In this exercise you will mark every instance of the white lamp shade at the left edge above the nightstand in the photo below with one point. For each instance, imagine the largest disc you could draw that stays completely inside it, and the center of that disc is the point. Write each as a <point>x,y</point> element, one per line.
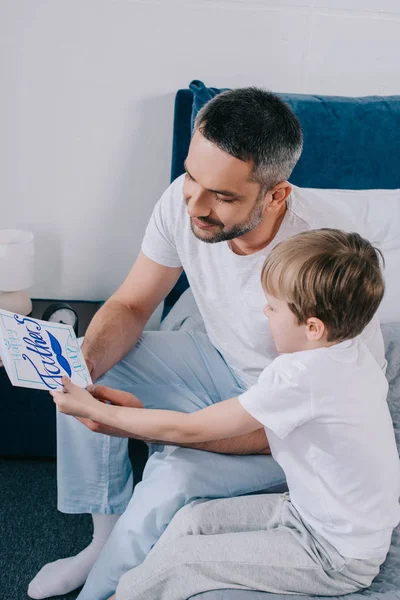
<point>17,250</point>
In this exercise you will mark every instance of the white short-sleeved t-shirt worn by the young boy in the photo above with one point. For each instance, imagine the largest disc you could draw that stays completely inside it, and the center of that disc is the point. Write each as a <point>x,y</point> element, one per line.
<point>328,424</point>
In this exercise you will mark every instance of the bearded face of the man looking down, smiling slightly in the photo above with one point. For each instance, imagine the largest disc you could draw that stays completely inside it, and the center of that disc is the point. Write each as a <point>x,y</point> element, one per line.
<point>221,200</point>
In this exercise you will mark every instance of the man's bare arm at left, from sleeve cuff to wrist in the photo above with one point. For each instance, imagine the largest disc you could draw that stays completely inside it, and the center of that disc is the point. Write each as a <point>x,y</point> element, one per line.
<point>119,323</point>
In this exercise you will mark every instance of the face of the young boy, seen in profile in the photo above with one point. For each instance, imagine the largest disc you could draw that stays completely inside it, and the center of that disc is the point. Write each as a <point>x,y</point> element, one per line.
<point>288,335</point>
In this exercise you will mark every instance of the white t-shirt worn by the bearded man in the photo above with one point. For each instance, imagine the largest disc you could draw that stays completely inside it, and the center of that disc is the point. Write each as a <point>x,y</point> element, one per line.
<point>227,287</point>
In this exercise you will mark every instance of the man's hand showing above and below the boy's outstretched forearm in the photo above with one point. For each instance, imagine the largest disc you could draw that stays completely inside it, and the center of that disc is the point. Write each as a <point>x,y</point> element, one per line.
<point>117,397</point>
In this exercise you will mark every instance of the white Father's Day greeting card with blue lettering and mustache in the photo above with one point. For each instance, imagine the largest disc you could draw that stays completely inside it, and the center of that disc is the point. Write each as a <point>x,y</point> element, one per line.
<point>37,354</point>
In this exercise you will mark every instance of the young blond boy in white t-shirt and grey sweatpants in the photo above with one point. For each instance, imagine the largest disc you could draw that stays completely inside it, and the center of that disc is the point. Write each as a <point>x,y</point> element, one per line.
<point>323,405</point>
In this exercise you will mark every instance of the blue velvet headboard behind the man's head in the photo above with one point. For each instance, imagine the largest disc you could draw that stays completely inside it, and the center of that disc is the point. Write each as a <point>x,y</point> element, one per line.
<point>349,143</point>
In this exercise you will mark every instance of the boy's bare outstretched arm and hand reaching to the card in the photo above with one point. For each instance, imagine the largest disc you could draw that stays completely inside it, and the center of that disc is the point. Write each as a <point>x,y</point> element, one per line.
<point>222,420</point>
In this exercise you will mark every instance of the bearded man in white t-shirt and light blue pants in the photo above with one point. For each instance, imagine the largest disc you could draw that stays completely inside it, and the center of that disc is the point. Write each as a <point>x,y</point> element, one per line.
<point>218,222</point>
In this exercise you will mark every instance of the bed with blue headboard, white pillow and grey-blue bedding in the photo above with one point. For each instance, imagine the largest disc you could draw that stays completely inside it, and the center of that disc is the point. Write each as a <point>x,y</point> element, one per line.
<point>350,144</point>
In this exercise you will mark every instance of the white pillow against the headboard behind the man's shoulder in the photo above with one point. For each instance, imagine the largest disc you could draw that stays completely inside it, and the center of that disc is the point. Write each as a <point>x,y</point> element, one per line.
<point>376,216</point>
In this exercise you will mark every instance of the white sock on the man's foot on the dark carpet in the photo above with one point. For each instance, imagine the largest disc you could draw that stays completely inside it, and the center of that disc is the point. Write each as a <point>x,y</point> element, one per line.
<point>67,574</point>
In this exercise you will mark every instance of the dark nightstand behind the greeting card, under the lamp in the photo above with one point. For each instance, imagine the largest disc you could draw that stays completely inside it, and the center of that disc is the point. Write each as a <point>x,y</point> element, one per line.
<point>28,417</point>
